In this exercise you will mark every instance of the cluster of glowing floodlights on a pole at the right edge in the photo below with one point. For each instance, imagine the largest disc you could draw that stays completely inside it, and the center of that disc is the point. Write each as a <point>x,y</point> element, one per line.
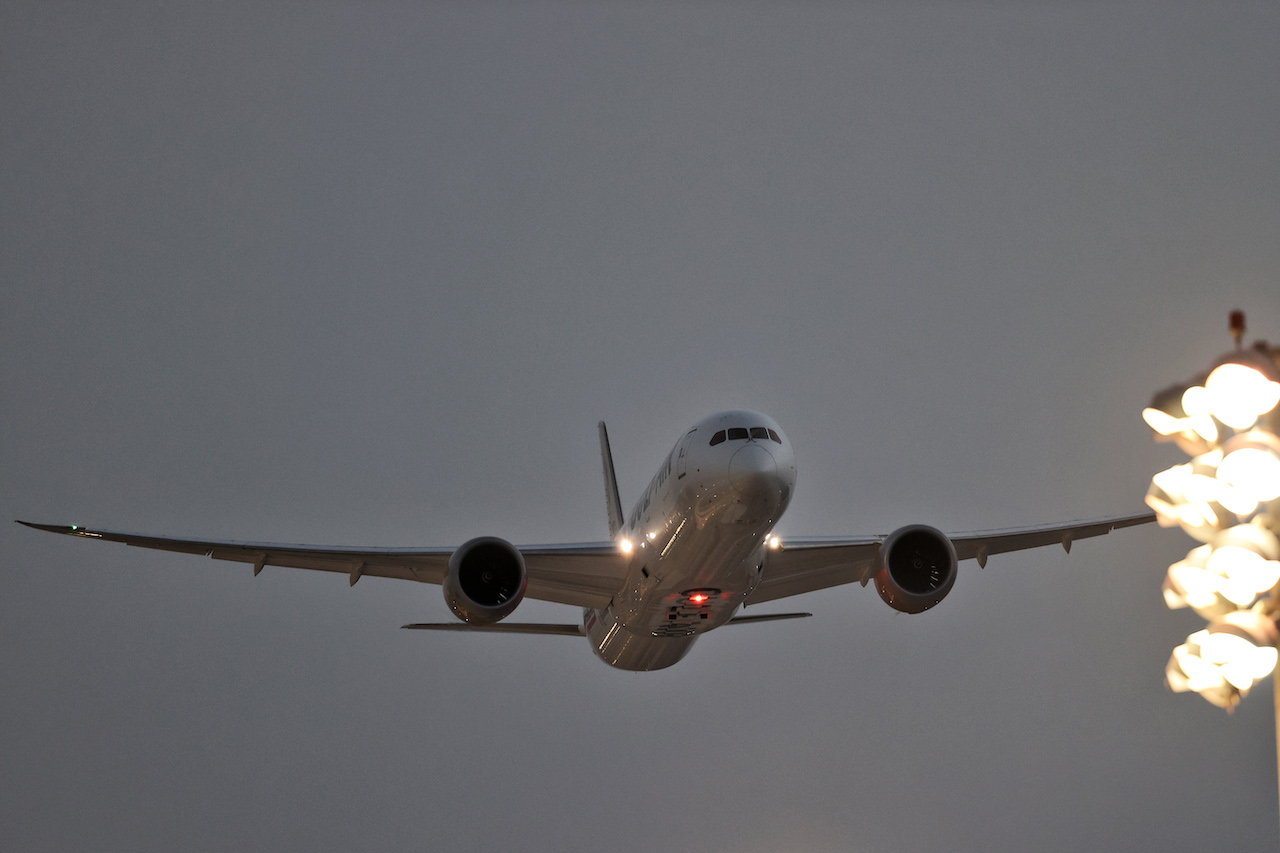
<point>1227,498</point>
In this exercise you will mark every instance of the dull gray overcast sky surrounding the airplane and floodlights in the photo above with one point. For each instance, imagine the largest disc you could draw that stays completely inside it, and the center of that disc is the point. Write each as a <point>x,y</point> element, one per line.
<point>371,273</point>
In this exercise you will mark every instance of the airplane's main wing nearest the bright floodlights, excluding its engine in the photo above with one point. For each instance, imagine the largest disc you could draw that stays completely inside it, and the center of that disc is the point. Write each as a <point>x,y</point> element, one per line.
<point>806,565</point>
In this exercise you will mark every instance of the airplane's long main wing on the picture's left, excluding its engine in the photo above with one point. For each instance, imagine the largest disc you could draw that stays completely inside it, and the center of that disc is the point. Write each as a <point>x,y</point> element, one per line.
<point>584,574</point>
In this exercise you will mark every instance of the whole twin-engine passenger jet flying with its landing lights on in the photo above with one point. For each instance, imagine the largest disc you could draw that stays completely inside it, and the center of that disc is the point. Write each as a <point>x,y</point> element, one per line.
<point>698,546</point>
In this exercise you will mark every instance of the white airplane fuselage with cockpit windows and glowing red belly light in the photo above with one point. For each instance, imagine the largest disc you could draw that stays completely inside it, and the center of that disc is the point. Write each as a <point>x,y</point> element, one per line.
<point>698,540</point>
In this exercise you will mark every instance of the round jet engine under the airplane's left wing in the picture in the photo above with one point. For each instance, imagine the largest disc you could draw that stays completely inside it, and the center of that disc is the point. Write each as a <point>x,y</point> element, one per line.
<point>487,581</point>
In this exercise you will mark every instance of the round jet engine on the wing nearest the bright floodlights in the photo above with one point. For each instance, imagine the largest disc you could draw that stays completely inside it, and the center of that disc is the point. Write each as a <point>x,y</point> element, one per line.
<point>917,568</point>
